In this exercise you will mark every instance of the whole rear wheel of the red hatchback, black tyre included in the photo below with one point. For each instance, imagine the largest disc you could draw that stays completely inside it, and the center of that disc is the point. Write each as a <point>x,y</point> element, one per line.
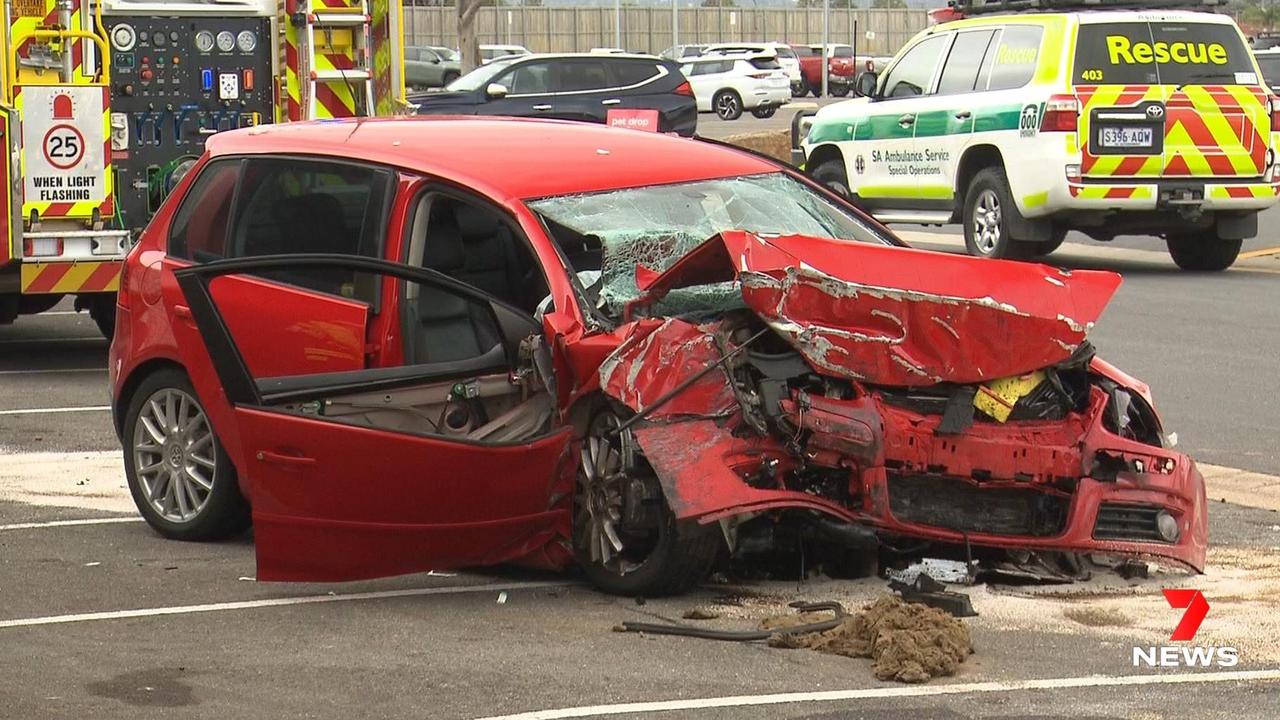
<point>171,455</point>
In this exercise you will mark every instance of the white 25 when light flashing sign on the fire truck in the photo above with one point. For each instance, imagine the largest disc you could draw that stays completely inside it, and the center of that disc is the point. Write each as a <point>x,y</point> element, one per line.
<point>63,144</point>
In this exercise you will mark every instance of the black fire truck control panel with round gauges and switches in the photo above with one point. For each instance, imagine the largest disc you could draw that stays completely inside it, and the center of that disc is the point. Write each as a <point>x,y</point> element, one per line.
<point>176,81</point>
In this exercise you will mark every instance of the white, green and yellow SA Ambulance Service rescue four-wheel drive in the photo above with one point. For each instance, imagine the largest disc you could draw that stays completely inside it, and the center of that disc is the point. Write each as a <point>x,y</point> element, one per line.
<point>1027,126</point>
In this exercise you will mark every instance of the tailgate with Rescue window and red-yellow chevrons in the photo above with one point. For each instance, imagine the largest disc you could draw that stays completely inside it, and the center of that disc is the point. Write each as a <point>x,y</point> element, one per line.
<point>1176,99</point>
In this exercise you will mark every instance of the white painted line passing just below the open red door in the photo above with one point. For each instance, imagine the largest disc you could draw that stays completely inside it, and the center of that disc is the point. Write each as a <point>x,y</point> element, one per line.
<point>269,603</point>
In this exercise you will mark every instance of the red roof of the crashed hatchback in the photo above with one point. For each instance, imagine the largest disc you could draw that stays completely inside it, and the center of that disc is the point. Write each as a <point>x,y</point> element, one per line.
<point>556,157</point>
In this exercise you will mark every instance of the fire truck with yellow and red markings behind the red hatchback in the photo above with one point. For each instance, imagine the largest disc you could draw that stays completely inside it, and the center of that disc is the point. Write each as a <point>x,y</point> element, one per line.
<point>106,106</point>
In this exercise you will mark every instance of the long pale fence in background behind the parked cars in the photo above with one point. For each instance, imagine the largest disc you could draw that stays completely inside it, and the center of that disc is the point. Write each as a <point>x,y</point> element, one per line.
<point>648,30</point>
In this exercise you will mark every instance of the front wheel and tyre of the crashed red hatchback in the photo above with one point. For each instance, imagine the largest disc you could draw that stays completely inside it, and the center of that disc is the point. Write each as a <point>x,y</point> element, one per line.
<point>668,558</point>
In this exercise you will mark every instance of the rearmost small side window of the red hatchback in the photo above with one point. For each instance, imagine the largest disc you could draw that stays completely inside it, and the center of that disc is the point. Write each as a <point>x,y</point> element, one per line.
<point>199,230</point>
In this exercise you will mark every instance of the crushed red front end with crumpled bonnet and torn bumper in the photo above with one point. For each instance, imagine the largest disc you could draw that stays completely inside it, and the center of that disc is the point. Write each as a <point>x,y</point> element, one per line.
<point>880,407</point>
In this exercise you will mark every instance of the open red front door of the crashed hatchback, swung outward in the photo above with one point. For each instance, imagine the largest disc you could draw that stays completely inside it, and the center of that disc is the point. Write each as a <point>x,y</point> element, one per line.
<point>452,458</point>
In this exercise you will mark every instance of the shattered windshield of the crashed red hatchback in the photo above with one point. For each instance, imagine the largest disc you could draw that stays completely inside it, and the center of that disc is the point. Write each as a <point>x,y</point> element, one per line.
<point>607,235</point>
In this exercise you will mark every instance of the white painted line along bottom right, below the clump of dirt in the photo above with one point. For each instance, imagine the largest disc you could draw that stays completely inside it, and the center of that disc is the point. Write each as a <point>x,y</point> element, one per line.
<point>870,694</point>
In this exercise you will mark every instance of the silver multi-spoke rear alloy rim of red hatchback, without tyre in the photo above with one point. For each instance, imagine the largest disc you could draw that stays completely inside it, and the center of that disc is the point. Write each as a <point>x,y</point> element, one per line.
<point>175,455</point>
